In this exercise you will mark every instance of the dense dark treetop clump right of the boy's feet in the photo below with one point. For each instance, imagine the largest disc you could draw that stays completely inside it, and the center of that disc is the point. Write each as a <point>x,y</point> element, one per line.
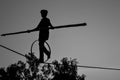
<point>66,70</point>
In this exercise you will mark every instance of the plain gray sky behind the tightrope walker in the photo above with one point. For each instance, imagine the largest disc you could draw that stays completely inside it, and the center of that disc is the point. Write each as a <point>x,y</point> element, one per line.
<point>97,44</point>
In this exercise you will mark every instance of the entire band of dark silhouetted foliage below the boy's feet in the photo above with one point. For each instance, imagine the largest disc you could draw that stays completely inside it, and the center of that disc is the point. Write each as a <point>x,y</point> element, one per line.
<point>33,70</point>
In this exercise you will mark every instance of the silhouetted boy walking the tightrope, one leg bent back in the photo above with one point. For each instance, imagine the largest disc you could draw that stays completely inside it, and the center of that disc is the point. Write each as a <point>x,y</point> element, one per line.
<point>43,28</point>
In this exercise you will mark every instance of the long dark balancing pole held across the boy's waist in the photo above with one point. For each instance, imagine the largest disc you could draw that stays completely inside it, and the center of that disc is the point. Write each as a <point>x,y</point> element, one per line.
<point>56,27</point>
